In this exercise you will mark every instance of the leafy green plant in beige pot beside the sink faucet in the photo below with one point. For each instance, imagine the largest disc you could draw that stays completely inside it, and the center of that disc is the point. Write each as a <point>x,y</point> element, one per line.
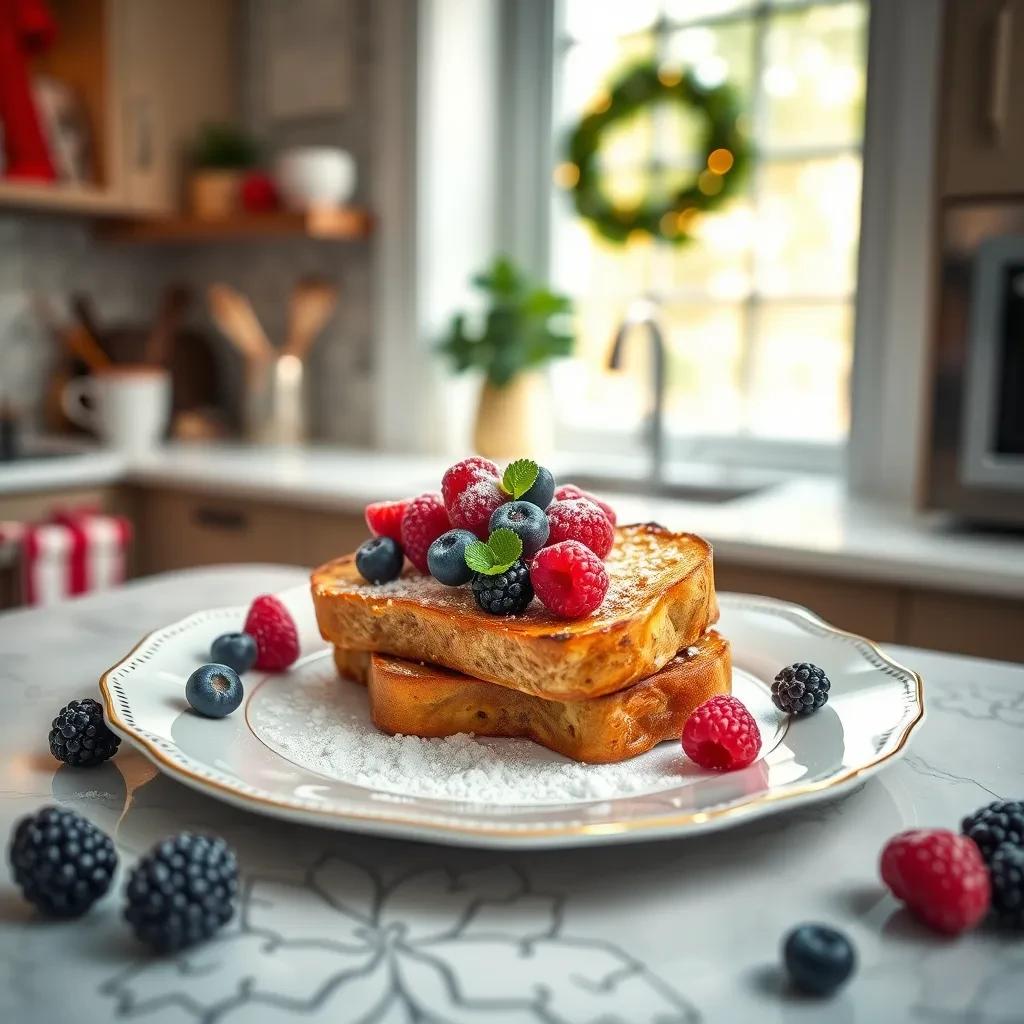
<point>525,328</point>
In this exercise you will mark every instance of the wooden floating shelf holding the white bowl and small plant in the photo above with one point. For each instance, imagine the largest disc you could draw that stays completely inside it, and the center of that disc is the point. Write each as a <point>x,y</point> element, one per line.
<point>340,225</point>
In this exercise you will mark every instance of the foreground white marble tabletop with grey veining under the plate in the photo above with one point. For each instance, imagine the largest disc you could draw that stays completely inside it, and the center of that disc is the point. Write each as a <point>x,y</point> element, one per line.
<point>336,927</point>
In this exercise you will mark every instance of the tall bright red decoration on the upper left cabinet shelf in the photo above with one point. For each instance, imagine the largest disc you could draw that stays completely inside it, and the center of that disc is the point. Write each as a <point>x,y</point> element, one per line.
<point>26,28</point>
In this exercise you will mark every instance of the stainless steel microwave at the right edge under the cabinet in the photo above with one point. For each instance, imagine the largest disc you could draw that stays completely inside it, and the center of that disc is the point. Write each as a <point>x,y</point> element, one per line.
<point>976,464</point>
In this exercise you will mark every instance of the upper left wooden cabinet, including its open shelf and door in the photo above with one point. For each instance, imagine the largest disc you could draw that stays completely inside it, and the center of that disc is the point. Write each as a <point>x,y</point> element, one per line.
<point>149,73</point>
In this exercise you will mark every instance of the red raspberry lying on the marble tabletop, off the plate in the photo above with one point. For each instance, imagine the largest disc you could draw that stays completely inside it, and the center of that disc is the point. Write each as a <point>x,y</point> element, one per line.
<point>941,876</point>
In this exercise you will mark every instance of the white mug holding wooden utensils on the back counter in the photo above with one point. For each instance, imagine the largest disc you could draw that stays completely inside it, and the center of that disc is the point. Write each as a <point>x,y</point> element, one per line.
<point>127,407</point>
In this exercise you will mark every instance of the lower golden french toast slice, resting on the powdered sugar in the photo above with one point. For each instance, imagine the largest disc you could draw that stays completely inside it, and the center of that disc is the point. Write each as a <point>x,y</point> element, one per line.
<point>416,700</point>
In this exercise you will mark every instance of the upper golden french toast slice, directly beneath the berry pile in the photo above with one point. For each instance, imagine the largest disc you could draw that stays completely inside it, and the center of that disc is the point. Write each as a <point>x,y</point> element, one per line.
<point>661,600</point>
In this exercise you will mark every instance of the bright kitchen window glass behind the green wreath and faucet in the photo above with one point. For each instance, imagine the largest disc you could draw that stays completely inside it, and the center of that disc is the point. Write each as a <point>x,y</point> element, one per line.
<point>758,311</point>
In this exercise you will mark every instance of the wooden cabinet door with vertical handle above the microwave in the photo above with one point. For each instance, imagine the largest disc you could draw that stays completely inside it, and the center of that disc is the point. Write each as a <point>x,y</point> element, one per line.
<point>983,82</point>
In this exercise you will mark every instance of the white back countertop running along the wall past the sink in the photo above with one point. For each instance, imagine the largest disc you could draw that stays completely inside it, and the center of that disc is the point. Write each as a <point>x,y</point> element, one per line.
<point>808,524</point>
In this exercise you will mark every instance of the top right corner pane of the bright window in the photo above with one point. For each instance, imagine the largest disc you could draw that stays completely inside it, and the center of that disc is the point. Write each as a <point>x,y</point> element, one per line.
<point>815,77</point>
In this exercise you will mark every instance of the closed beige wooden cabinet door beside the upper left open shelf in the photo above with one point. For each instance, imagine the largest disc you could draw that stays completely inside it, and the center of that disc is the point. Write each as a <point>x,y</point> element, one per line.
<point>175,69</point>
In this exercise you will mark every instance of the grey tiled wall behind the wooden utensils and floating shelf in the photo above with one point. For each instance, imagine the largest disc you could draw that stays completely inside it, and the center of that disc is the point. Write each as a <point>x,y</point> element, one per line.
<point>58,257</point>
